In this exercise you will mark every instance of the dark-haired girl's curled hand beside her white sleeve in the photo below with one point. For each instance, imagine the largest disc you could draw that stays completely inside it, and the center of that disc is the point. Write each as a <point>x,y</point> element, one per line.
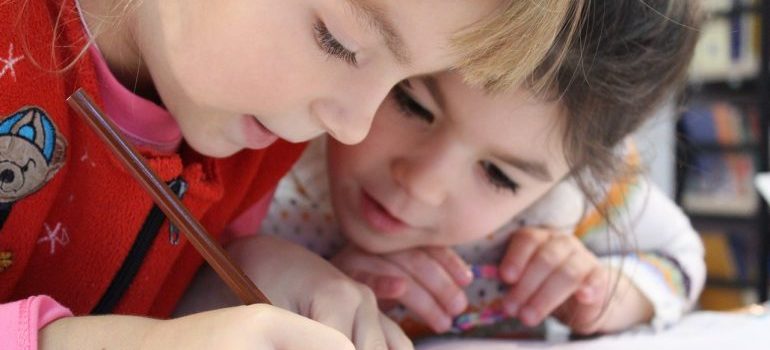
<point>547,269</point>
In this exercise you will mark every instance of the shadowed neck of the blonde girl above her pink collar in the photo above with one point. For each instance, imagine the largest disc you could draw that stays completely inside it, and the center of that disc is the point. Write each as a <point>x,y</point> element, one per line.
<point>112,24</point>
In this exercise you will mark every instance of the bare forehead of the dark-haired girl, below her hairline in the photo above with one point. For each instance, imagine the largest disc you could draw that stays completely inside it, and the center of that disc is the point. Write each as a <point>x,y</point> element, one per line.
<point>515,121</point>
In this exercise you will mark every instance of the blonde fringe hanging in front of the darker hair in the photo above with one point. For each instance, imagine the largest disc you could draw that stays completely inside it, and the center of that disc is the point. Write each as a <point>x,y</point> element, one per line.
<point>505,49</point>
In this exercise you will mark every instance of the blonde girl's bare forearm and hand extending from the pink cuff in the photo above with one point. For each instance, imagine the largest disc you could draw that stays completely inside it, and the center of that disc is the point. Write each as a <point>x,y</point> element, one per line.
<point>242,327</point>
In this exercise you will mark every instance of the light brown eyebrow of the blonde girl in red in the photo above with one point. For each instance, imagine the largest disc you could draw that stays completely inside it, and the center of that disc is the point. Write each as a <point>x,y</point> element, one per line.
<point>376,17</point>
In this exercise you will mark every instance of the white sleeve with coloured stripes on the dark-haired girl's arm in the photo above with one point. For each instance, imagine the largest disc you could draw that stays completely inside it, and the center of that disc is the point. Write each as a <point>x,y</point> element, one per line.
<point>659,251</point>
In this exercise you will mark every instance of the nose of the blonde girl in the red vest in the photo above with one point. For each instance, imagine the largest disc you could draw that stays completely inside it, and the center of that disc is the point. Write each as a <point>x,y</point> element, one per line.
<point>347,115</point>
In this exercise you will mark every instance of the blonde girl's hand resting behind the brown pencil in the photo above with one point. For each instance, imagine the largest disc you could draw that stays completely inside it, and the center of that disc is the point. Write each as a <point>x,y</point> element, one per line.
<point>301,281</point>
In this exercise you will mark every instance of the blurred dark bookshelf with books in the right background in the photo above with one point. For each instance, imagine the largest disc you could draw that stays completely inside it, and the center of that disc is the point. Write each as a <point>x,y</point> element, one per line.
<point>723,140</point>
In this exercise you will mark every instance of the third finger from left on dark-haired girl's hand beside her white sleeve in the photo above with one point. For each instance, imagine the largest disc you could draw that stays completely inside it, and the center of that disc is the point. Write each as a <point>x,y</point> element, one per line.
<point>556,289</point>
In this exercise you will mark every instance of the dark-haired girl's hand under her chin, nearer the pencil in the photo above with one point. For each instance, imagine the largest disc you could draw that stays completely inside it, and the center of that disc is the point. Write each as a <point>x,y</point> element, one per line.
<point>427,281</point>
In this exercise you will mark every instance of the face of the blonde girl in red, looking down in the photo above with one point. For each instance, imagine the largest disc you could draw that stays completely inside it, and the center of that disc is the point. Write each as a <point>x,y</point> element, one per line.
<point>299,68</point>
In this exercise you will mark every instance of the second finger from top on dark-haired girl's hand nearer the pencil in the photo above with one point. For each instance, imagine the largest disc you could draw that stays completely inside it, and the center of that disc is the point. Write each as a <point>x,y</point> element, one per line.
<point>430,276</point>
